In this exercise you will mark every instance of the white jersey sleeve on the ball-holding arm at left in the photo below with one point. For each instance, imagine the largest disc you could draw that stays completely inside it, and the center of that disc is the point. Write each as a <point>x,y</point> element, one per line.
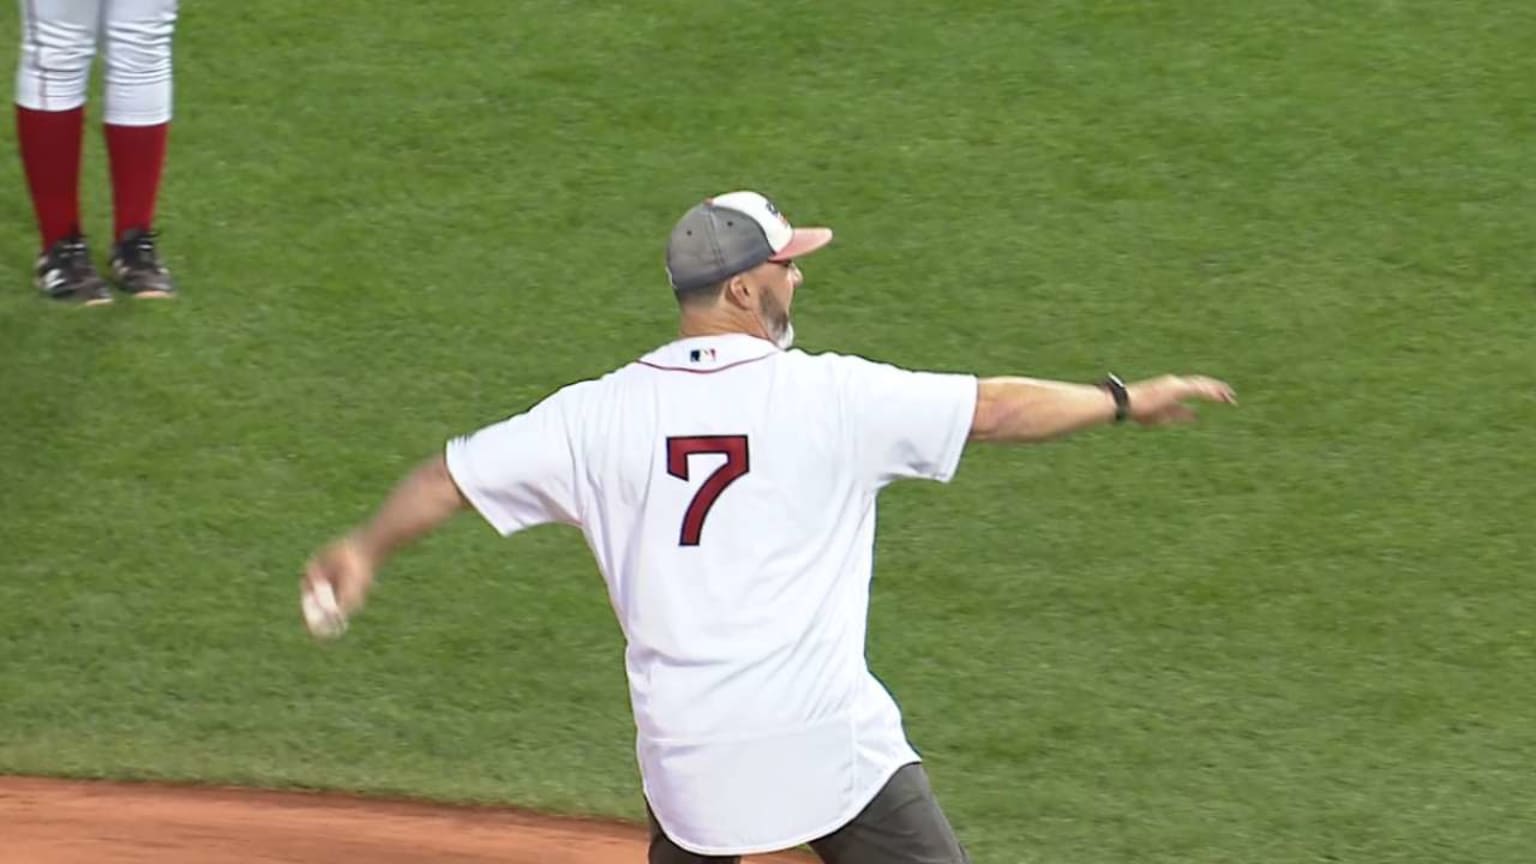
<point>521,473</point>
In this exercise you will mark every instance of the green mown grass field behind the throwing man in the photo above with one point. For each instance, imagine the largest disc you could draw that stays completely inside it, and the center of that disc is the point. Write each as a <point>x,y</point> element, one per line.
<point>1300,633</point>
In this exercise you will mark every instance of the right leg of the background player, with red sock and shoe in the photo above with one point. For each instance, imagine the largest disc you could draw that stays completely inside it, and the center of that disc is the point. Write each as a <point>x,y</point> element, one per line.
<point>137,45</point>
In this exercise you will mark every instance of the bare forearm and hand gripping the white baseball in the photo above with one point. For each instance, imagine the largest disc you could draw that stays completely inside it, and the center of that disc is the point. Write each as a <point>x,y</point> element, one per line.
<point>423,502</point>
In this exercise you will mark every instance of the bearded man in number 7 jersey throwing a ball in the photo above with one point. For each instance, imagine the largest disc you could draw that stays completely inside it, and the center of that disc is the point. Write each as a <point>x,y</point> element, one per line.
<point>727,488</point>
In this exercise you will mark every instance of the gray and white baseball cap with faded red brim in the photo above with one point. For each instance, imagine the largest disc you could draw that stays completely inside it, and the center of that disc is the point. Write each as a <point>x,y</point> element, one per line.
<point>730,234</point>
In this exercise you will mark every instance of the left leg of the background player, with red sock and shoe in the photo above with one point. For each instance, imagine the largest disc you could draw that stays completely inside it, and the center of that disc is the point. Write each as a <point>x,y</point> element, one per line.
<point>59,41</point>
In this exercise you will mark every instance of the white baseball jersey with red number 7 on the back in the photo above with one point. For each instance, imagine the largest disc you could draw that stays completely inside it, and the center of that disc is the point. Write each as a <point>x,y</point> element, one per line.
<point>727,491</point>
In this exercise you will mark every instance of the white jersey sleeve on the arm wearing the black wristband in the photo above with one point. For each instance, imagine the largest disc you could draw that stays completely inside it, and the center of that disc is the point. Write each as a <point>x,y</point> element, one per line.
<point>909,425</point>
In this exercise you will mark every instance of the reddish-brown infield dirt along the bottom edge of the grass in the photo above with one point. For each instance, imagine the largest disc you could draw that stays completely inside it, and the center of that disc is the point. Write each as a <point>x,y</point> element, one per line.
<point>47,822</point>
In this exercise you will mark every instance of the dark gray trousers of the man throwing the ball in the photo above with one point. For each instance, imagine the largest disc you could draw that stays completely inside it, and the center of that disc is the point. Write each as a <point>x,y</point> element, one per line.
<point>902,826</point>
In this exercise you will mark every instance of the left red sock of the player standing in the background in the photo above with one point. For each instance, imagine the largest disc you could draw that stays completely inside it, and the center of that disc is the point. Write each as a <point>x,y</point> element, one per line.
<point>51,158</point>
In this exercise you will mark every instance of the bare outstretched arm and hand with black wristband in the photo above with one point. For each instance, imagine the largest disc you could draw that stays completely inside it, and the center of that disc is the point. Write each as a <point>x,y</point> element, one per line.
<point>1027,410</point>
